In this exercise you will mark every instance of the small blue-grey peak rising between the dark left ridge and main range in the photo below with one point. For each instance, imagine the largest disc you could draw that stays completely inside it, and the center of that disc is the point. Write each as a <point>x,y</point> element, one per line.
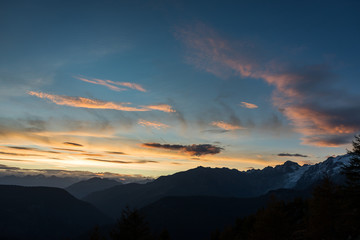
<point>83,188</point>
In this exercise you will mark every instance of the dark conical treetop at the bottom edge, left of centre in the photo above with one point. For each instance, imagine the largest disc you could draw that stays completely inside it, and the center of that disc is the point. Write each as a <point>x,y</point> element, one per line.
<point>131,226</point>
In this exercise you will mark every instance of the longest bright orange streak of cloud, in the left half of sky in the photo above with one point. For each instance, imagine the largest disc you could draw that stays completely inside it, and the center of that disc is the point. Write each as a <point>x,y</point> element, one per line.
<point>81,102</point>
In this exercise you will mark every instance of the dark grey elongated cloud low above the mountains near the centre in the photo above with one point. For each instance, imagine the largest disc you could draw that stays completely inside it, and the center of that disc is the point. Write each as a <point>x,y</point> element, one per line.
<point>193,150</point>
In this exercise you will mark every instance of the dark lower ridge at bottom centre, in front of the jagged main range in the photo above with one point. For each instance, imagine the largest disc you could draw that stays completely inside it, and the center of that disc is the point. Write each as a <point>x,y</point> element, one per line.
<point>196,217</point>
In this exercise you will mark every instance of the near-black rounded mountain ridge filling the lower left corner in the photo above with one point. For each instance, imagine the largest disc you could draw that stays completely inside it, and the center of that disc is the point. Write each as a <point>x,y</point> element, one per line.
<point>44,213</point>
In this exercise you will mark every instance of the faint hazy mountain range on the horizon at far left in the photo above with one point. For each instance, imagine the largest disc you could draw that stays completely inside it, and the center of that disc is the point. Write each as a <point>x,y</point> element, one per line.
<point>38,180</point>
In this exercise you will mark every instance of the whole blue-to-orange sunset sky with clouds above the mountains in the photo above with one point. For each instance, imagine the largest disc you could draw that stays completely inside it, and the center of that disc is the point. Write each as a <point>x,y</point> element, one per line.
<point>150,88</point>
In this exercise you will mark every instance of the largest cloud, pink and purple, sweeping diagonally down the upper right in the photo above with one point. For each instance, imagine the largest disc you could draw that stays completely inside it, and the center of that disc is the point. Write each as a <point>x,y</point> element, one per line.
<point>307,95</point>
